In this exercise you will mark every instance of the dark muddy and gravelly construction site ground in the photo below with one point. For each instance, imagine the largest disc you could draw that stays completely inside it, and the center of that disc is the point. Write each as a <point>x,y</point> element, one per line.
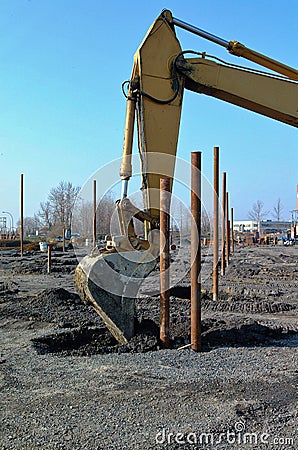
<point>67,384</point>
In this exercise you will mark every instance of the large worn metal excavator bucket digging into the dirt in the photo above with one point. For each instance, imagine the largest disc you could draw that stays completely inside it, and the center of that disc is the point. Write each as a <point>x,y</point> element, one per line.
<point>109,282</point>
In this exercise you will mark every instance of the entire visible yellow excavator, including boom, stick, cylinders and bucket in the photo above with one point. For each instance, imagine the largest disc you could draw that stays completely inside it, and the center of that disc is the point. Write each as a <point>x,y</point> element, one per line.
<point>109,279</point>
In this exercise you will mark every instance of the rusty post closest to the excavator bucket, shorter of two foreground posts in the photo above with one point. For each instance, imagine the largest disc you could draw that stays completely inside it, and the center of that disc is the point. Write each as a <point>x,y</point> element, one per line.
<point>165,261</point>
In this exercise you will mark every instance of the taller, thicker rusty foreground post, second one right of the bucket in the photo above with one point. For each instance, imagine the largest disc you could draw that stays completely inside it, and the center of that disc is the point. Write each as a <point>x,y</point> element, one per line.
<point>195,240</point>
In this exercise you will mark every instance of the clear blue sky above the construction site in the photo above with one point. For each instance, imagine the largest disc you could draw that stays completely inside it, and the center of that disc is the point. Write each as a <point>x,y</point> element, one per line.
<point>62,110</point>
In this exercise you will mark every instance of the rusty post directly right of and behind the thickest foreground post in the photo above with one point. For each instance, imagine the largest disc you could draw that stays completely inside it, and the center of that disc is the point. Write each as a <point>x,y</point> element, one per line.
<point>215,224</point>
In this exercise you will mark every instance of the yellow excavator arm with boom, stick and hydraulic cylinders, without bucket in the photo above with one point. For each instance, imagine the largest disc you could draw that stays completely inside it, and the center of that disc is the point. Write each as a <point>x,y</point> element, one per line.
<point>160,74</point>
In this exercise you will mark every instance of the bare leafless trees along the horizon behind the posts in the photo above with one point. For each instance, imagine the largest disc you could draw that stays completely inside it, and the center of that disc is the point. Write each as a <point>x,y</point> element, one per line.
<point>57,212</point>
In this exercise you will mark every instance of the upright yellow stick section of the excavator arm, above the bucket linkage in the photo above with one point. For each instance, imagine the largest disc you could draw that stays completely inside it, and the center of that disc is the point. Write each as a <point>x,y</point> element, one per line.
<point>158,123</point>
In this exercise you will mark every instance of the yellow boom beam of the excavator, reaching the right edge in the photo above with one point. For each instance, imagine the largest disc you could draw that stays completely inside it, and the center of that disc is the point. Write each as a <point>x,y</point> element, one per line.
<point>269,96</point>
